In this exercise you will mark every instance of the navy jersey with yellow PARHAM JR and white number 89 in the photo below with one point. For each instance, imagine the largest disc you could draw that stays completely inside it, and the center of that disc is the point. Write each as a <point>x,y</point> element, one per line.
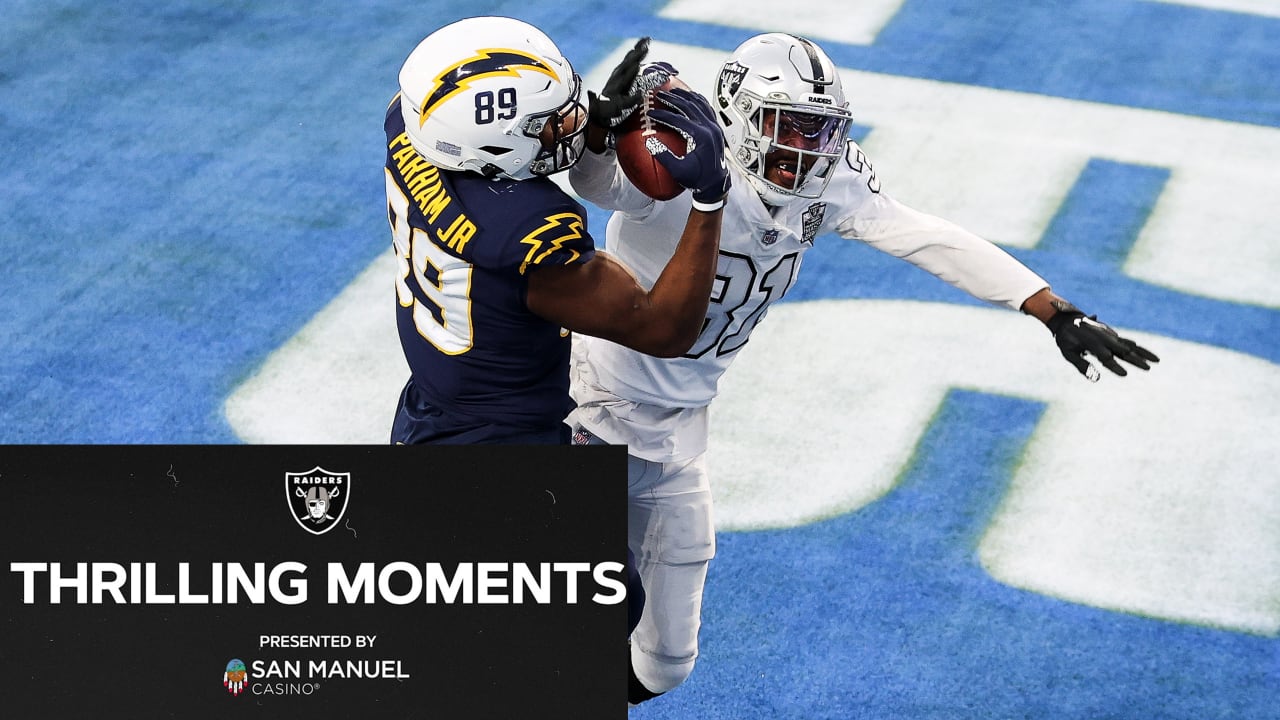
<point>467,248</point>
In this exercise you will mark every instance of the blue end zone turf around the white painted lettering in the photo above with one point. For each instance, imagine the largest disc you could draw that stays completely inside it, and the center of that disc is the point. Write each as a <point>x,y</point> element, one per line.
<point>185,185</point>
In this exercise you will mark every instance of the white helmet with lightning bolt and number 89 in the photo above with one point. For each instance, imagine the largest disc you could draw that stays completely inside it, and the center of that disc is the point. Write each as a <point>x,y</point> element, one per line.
<point>477,95</point>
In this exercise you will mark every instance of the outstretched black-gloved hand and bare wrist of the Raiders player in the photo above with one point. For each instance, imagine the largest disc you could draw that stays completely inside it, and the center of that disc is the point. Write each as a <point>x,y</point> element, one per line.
<point>1080,336</point>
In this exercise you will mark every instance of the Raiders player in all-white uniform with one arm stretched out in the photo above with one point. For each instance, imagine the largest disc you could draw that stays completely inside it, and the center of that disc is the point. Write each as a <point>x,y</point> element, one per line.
<point>797,176</point>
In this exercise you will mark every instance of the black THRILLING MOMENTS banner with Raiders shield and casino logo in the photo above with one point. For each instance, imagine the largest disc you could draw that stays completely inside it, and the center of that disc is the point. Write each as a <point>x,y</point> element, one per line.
<point>313,582</point>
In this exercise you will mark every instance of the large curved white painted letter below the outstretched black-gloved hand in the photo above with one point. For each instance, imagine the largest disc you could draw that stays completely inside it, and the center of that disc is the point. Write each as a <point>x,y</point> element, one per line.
<point>1155,494</point>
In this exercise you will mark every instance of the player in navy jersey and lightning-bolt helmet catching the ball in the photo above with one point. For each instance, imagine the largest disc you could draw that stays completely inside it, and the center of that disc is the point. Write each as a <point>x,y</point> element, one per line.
<point>496,265</point>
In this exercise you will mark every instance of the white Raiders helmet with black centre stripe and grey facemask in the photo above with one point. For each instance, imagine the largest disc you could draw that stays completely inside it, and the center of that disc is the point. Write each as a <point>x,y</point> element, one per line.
<point>781,94</point>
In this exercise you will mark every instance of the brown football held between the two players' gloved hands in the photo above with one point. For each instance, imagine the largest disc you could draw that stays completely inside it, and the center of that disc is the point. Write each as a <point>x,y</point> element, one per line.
<point>642,138</point>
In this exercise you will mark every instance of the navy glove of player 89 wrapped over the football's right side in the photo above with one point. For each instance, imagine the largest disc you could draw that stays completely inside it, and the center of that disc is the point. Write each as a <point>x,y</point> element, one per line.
<point>702,168</point>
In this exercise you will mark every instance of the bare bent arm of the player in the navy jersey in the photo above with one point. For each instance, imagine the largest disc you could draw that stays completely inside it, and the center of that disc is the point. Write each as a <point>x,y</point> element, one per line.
<point>601,298</point>
